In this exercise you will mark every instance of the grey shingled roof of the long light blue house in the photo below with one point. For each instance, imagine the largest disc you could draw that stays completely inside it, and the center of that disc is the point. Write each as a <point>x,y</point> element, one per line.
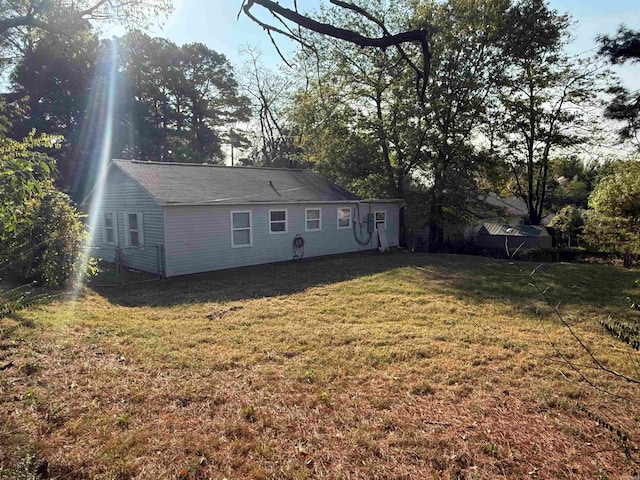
<point>178,183</point>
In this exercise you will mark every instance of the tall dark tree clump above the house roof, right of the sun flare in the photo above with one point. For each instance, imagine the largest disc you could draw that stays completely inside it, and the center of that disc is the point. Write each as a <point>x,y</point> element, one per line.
<point>181,101</point>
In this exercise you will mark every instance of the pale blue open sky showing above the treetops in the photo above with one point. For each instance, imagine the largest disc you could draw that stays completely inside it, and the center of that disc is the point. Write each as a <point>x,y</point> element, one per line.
<point>216,24</point>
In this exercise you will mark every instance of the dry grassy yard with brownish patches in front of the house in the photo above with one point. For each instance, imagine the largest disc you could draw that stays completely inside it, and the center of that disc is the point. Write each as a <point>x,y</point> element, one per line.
<point>365,366</point>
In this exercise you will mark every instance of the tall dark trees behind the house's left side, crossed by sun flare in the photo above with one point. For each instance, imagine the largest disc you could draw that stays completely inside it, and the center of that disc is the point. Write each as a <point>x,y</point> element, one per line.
<point>171,103</point>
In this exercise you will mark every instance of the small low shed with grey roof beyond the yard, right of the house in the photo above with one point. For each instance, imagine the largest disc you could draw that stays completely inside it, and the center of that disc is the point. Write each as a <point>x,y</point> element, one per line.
<point>496,236</point>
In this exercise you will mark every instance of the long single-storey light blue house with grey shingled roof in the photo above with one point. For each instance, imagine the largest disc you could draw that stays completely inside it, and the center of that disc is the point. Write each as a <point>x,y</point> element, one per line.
<point>176,218</point>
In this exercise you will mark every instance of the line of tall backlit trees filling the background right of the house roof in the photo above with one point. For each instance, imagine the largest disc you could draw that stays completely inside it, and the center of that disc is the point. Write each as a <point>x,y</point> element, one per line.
<point>505,107</point>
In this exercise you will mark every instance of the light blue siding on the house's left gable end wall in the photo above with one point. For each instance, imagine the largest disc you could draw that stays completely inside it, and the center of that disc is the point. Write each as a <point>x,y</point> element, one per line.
<point>121,196</point>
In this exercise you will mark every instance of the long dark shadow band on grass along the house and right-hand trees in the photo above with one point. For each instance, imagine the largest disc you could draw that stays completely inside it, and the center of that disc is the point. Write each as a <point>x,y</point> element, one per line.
<point>469,277</point>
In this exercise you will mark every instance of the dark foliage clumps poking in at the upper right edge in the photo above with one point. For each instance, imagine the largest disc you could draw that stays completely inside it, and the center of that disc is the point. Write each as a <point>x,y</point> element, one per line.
<point>625,106</point>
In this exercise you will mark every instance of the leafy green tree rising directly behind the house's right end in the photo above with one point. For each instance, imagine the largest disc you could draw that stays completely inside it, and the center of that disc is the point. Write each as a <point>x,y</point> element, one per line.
<point>363,93</point>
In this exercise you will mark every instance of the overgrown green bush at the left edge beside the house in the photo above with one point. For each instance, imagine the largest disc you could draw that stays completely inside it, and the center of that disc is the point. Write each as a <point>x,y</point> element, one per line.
<point>41,232</point>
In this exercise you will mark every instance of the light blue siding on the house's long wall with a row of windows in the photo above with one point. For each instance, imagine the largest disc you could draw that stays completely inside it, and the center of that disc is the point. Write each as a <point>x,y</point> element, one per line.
<point>198,238</point>
